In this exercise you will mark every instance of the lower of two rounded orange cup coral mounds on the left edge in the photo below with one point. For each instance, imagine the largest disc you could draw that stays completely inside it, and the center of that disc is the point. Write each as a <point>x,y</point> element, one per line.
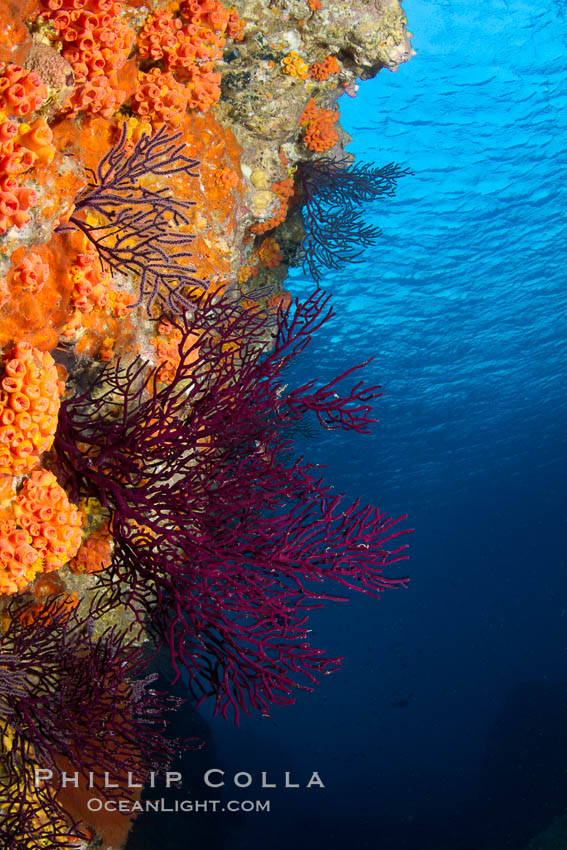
<point>39,532</point>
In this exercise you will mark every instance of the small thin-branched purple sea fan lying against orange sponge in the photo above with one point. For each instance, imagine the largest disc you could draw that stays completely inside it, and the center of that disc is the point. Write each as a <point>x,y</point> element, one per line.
<point>137,230</point>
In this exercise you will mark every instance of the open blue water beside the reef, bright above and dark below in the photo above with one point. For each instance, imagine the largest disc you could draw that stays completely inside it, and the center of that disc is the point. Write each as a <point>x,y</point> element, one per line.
<point>445,729</point>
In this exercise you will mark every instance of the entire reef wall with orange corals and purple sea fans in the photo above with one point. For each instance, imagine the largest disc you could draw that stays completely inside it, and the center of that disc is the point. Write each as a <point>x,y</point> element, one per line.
<point>161,166</point>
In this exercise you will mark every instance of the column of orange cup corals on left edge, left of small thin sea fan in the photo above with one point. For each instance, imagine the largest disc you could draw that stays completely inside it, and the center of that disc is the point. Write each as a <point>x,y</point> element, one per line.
<point>21,144</point>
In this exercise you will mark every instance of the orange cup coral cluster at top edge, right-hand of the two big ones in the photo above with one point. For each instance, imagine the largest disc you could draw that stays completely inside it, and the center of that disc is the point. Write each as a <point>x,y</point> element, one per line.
<point>189,49</point>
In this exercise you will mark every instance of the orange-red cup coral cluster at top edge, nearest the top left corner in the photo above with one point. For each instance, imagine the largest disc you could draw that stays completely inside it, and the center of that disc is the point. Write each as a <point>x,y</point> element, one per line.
<point>97,41</point>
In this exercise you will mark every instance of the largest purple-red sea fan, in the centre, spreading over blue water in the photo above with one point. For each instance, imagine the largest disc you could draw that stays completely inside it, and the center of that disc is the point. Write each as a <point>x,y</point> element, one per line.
<point>227,541</point>
